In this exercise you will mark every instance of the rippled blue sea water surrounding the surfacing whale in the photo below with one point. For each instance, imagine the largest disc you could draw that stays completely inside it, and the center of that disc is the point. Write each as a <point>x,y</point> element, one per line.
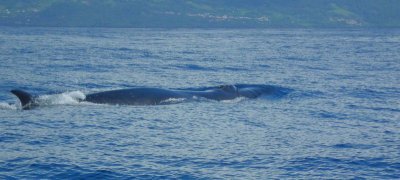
<point>337,118</point>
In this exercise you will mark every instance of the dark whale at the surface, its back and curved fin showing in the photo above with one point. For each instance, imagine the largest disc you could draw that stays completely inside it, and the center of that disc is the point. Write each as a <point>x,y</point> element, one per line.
<point>157,96</point>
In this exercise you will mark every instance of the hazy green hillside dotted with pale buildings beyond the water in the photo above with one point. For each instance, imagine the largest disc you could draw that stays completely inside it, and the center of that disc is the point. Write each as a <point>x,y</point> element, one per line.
<point>201,13</point>
